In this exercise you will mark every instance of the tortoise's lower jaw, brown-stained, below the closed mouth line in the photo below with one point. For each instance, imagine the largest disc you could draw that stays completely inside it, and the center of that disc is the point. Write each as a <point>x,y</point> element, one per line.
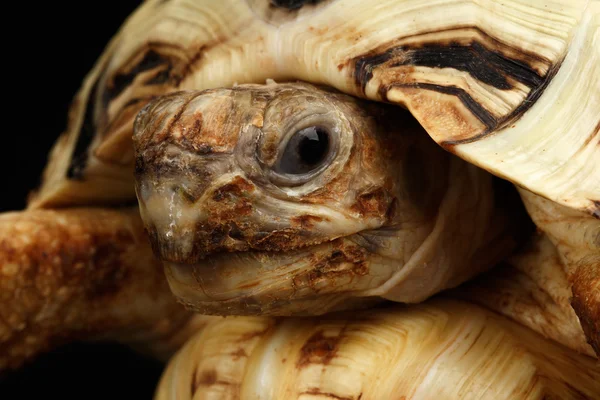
<point>310,280</point>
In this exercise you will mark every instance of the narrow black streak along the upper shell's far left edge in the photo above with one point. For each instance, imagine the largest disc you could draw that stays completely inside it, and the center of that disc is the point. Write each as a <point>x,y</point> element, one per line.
<point>86,136</point>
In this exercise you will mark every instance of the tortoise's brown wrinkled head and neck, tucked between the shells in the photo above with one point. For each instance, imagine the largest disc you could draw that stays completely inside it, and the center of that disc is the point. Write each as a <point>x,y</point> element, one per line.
<point>294,199</point>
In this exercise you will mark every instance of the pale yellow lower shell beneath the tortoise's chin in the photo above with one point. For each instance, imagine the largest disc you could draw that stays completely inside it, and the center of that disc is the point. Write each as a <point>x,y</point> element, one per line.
<point>442,349</point>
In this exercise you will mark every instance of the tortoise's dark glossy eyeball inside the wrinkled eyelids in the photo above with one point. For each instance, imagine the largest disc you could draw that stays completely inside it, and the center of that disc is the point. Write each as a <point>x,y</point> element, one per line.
<point>305,151</point>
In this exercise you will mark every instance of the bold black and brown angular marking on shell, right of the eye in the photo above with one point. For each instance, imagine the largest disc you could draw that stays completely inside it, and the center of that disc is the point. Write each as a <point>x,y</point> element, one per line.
<point>483,57</point>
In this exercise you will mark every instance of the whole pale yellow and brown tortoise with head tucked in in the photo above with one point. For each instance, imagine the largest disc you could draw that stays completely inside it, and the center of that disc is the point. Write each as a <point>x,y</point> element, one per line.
<point>327,192</point>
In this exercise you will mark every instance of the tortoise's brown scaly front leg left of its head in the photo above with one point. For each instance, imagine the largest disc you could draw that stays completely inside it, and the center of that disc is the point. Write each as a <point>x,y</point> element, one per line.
<point>82,273</point>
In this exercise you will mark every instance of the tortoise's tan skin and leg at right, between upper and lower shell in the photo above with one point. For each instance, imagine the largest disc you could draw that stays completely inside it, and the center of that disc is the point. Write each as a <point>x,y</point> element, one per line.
<point>552,285</point>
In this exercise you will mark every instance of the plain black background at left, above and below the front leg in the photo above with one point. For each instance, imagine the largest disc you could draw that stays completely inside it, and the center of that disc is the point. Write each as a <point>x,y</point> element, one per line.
<point>47,49</point>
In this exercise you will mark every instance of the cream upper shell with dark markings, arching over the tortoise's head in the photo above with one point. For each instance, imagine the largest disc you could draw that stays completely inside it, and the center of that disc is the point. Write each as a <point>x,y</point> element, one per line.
<point>512,86</point>
